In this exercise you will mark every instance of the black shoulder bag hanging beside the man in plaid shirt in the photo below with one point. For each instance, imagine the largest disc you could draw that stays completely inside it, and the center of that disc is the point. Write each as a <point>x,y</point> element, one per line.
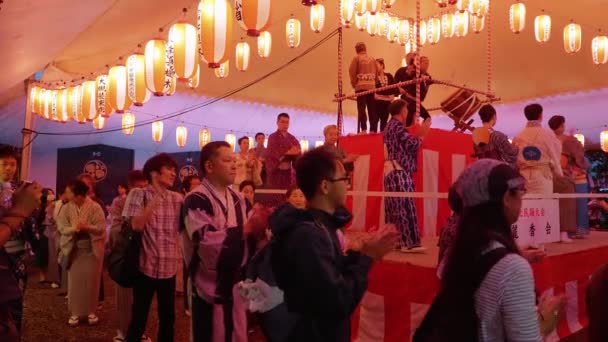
<point>123,259</point>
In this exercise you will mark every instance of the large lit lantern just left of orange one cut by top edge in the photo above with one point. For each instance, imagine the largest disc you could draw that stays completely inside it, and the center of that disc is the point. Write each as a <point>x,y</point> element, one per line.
<point>215,31</point>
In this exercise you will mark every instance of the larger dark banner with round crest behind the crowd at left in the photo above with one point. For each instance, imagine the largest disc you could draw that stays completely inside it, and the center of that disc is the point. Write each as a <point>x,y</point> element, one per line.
<point>108,165</point>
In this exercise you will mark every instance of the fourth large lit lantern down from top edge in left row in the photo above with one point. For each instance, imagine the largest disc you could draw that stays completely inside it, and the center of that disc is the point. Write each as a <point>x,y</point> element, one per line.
<point>155,66</point>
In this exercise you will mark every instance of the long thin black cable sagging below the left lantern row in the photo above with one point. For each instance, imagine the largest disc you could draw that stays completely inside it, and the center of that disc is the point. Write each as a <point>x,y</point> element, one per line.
<point>210,101</point>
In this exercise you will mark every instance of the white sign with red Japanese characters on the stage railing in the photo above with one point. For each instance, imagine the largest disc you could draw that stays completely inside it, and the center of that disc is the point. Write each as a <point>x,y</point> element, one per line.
<point>538,222</point>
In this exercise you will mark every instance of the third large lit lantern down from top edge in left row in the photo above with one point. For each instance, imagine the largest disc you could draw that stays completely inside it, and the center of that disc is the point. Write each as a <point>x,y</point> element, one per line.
<point>183,39</point>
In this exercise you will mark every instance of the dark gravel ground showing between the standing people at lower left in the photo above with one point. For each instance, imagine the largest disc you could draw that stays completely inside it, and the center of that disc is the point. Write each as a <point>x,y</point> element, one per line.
<point>46,317</point>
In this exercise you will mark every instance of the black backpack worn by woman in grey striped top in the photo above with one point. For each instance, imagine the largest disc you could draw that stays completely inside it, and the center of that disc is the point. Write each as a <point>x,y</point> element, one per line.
<point>439,324</point>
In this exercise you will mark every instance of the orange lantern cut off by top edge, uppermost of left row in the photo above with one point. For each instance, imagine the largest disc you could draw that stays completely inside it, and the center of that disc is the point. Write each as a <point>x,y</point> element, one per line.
<point>253,15</point>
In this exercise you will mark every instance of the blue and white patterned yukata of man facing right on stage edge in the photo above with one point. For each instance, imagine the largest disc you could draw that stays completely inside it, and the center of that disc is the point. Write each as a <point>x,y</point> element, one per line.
<point>400,165</point>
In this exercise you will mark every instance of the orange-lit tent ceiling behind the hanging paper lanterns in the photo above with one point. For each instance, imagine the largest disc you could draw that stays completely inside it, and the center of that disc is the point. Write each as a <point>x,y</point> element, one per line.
<point>79,37</point>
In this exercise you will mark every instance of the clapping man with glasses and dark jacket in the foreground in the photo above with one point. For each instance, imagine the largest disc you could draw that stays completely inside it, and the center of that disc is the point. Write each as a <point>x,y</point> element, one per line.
<point>322,280</point>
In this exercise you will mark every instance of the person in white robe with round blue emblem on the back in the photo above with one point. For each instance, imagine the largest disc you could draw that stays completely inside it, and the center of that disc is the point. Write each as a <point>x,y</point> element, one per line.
<point>539,152</point>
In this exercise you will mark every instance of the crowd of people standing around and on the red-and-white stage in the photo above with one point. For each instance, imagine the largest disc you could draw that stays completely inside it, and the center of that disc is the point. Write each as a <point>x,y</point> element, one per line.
<point>285,260</point>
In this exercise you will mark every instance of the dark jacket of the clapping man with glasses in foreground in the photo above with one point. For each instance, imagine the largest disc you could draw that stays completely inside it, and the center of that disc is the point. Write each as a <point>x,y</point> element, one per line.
<point>321,284</point>
